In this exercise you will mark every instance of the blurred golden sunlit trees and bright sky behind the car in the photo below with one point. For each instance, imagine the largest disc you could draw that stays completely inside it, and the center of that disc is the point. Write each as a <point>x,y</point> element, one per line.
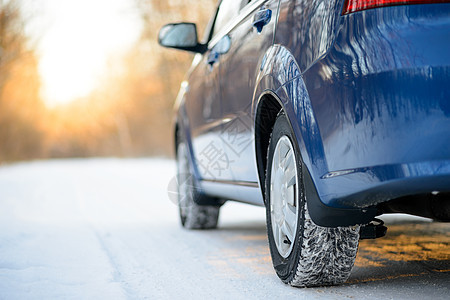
<point>83,78</point>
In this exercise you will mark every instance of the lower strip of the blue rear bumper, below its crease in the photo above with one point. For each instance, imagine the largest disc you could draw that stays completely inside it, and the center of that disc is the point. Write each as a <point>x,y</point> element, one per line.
<point>371,186</point>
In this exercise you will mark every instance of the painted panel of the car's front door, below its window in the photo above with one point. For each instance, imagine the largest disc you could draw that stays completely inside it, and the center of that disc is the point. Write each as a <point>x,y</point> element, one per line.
<point>203,111</point>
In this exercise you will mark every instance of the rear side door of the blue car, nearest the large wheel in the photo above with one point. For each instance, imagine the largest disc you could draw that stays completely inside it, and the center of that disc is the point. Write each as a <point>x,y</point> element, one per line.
<point>238,70</point>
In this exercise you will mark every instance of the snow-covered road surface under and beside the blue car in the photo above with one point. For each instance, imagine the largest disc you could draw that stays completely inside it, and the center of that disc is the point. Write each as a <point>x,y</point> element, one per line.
<point>106,229</point>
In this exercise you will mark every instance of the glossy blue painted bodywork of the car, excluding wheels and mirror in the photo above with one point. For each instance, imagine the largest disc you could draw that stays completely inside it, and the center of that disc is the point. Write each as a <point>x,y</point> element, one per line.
<point>367,95</point>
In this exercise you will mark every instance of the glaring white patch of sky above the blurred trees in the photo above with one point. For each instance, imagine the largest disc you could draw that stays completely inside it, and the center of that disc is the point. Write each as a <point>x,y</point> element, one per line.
<point>75,40</point>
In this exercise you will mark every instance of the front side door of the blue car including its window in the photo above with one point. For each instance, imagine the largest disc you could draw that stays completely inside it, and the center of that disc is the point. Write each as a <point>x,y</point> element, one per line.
<point>204,104</point>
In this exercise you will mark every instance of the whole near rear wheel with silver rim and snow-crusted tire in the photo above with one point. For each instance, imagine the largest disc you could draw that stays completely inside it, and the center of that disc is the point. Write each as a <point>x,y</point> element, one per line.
<point>303,253</point>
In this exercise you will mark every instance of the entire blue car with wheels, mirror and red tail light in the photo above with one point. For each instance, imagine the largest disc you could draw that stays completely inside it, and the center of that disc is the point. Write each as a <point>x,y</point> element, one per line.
<point>327,112</point>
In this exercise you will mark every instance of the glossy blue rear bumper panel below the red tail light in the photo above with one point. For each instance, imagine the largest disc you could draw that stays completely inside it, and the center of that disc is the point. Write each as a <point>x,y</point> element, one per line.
<point>382,104</point>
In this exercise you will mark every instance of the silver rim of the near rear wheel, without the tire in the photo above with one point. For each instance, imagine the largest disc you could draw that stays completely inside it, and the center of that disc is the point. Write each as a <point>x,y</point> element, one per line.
<point>284,196</point>
